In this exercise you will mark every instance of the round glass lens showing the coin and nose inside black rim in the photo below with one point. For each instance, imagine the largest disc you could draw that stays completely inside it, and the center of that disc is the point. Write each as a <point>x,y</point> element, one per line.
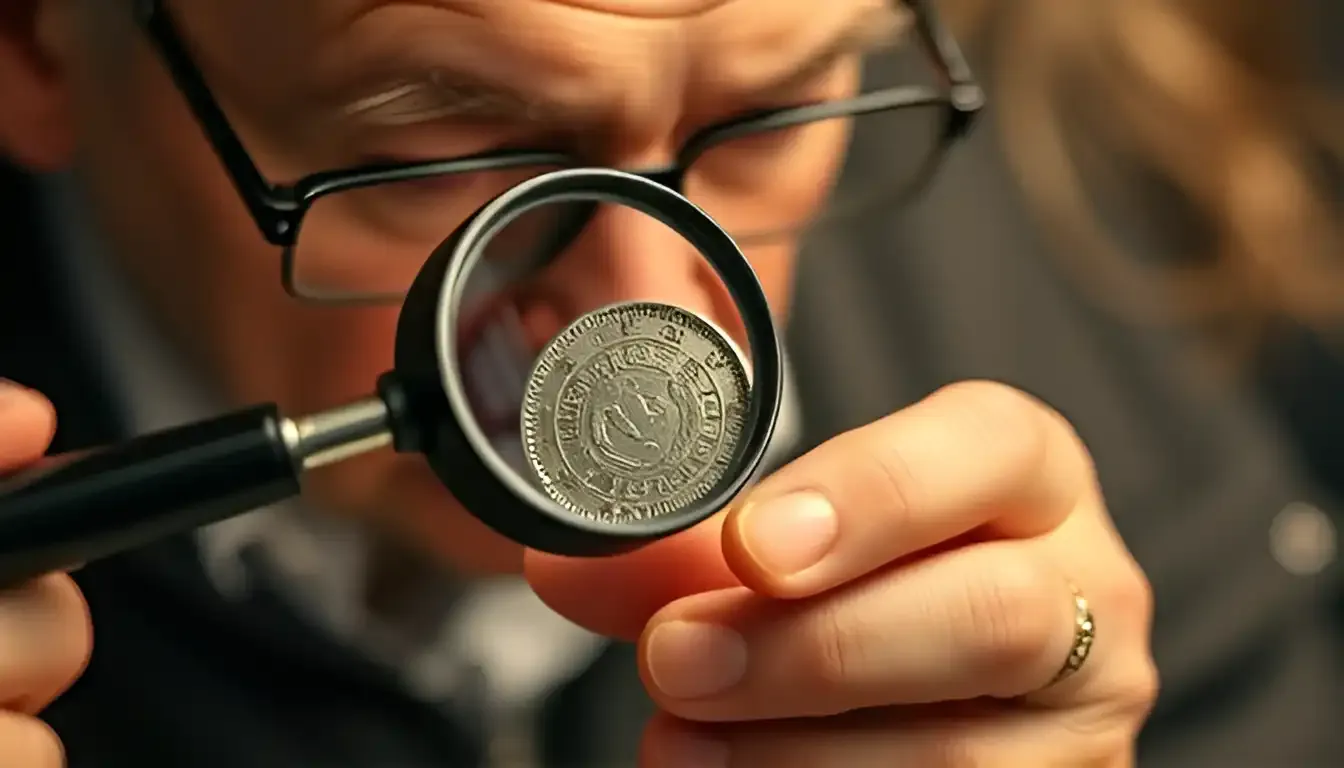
<point>626,411</point>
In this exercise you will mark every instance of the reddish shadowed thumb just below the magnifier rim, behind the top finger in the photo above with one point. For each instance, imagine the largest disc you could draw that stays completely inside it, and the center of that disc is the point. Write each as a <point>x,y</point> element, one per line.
<point>616,597</point>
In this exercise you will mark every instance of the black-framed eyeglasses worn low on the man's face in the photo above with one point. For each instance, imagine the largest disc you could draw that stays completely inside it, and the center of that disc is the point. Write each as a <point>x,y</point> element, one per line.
<point>360,235</point>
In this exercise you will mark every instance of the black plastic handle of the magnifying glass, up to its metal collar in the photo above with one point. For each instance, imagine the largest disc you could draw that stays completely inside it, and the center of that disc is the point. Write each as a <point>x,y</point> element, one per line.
<point>79,509</point>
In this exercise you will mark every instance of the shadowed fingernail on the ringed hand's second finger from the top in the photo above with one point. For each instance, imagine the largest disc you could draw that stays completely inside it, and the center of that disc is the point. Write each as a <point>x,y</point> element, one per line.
<point>689,660</point>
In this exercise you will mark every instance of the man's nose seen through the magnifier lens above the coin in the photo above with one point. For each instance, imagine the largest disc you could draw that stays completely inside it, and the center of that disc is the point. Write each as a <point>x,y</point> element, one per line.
<point>627,256</point>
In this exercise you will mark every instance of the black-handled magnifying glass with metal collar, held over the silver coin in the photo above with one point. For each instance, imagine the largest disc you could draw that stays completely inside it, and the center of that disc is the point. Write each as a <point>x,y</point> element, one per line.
<point>639,420</point>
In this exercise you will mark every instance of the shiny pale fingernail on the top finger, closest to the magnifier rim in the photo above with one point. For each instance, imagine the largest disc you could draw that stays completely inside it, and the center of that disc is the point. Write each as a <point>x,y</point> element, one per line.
<point>790,535</point>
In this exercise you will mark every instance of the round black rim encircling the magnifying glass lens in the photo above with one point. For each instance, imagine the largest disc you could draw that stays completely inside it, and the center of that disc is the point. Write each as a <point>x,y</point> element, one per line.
<point>714,245</point>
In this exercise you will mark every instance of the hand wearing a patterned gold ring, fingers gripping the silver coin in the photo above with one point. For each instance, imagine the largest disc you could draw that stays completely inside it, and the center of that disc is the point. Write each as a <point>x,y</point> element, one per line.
<point>921,591</point>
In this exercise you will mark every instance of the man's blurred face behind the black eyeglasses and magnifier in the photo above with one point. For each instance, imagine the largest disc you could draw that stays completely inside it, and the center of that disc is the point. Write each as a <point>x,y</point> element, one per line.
<point>315,85</point>
